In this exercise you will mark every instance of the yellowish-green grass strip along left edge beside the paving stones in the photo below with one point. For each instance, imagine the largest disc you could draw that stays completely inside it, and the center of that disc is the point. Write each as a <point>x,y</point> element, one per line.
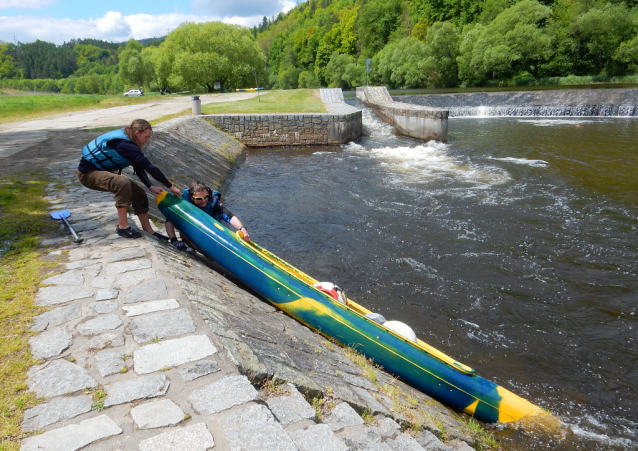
<point>23,217</point>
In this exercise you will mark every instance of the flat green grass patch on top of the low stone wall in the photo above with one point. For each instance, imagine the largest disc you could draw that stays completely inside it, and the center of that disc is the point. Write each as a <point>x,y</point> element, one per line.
<point>288,101</point>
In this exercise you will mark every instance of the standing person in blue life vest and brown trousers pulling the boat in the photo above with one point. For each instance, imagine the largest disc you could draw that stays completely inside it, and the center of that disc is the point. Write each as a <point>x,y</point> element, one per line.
<point>112,152</point>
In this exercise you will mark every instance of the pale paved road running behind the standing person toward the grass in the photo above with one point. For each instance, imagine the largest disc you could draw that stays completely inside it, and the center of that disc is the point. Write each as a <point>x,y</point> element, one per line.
<point>18,136</point>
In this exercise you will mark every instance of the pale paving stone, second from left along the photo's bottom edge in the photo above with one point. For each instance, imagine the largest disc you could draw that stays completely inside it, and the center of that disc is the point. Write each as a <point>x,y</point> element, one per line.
<point>190,438</point>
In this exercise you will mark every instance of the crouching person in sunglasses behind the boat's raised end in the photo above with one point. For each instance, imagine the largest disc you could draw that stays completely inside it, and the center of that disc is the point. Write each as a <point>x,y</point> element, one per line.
<point>206,199</point>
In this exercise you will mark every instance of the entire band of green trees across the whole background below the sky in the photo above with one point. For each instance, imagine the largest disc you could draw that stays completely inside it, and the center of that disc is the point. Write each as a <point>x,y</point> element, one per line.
<point>411,43</point>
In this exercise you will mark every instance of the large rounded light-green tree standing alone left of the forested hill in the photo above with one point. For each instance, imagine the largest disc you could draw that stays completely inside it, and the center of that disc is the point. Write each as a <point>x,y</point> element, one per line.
<point>205,53</point>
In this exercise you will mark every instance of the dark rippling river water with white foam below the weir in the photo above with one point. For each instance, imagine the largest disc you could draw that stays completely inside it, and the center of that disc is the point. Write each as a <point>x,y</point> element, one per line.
<point>512,248</point>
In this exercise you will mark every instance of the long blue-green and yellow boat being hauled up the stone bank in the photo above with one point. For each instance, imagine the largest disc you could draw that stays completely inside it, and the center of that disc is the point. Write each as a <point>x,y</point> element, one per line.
<point>345,321</point>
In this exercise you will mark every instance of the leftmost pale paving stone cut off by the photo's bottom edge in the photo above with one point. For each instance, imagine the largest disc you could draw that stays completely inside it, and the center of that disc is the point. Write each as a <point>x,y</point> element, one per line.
<point>73,436</point>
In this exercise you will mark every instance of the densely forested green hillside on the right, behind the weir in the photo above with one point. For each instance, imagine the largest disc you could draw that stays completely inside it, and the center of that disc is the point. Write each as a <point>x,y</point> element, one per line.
<point>418,43</point>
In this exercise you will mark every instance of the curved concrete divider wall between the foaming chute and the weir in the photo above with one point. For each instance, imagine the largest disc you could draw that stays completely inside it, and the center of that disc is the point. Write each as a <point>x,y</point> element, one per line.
<point>411,120</point>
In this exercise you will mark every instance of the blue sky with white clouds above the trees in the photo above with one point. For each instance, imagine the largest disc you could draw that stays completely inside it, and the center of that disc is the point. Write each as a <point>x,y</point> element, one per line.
<point>59,21</point>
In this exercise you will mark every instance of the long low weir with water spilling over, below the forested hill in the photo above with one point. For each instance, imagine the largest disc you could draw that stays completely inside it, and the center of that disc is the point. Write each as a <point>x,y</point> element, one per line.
<point>572,103</point>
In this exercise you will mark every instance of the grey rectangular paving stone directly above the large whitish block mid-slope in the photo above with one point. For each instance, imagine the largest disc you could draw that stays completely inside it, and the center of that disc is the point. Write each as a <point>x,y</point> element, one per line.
<point>161,325</point>
